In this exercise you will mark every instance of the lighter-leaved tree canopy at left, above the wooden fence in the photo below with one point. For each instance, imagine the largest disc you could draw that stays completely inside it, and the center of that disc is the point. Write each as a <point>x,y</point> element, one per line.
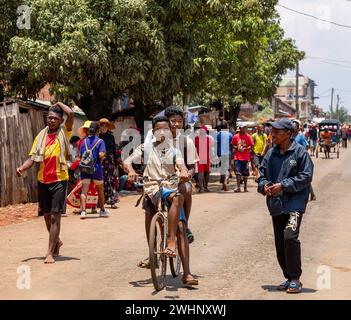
<point>89,51</point>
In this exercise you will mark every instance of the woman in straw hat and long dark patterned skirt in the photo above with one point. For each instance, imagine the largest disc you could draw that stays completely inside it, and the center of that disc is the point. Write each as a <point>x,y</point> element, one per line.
<point>109,163</point>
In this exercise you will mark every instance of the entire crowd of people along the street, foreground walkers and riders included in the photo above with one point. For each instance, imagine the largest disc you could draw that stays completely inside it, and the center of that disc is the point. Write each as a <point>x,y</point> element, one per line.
<point>277,152</point>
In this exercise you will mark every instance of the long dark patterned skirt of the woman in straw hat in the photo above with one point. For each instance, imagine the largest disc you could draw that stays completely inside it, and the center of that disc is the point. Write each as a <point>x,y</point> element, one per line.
<point>111,196</point>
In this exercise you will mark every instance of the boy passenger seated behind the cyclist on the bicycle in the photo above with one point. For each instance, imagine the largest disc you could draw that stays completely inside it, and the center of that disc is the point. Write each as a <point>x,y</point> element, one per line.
<point>187,147</point>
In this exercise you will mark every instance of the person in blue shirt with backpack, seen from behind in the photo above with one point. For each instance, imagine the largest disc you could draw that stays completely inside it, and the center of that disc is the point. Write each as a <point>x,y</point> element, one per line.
<point>92,153</point>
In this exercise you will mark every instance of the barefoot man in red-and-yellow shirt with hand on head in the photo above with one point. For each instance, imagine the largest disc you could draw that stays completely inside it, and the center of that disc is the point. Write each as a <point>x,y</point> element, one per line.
<point>51,150</point>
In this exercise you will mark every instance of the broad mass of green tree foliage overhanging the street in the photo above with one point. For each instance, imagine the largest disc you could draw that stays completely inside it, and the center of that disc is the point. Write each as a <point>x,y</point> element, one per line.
<point>92,51</point>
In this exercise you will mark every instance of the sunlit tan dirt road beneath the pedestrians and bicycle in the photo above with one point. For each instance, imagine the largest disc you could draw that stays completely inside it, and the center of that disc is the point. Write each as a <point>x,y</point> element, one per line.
<point>233,254</point>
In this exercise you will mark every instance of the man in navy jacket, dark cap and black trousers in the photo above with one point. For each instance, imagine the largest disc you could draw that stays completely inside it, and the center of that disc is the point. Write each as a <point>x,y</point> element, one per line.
<point>285,178</point>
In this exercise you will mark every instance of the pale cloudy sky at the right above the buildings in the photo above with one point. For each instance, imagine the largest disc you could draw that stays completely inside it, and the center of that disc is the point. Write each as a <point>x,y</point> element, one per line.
<point>322,41</point>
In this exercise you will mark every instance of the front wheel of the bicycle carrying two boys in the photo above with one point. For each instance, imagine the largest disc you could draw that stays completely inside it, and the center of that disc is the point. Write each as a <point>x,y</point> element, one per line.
<point>157,241</point>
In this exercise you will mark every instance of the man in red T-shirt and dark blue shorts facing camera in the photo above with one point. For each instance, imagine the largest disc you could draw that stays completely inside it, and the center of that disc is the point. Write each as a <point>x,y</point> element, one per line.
<point>242,144</point>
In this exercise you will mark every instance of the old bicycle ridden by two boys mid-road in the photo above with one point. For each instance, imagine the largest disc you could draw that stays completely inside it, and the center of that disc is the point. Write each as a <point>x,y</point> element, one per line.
<point>158,241</point>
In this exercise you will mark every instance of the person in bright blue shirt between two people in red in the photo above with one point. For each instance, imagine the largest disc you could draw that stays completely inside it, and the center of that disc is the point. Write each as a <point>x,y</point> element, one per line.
<point>224,139</point>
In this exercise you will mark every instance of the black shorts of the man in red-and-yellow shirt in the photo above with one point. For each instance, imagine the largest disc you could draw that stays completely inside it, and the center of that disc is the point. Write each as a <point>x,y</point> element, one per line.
<point>52,197</point>
